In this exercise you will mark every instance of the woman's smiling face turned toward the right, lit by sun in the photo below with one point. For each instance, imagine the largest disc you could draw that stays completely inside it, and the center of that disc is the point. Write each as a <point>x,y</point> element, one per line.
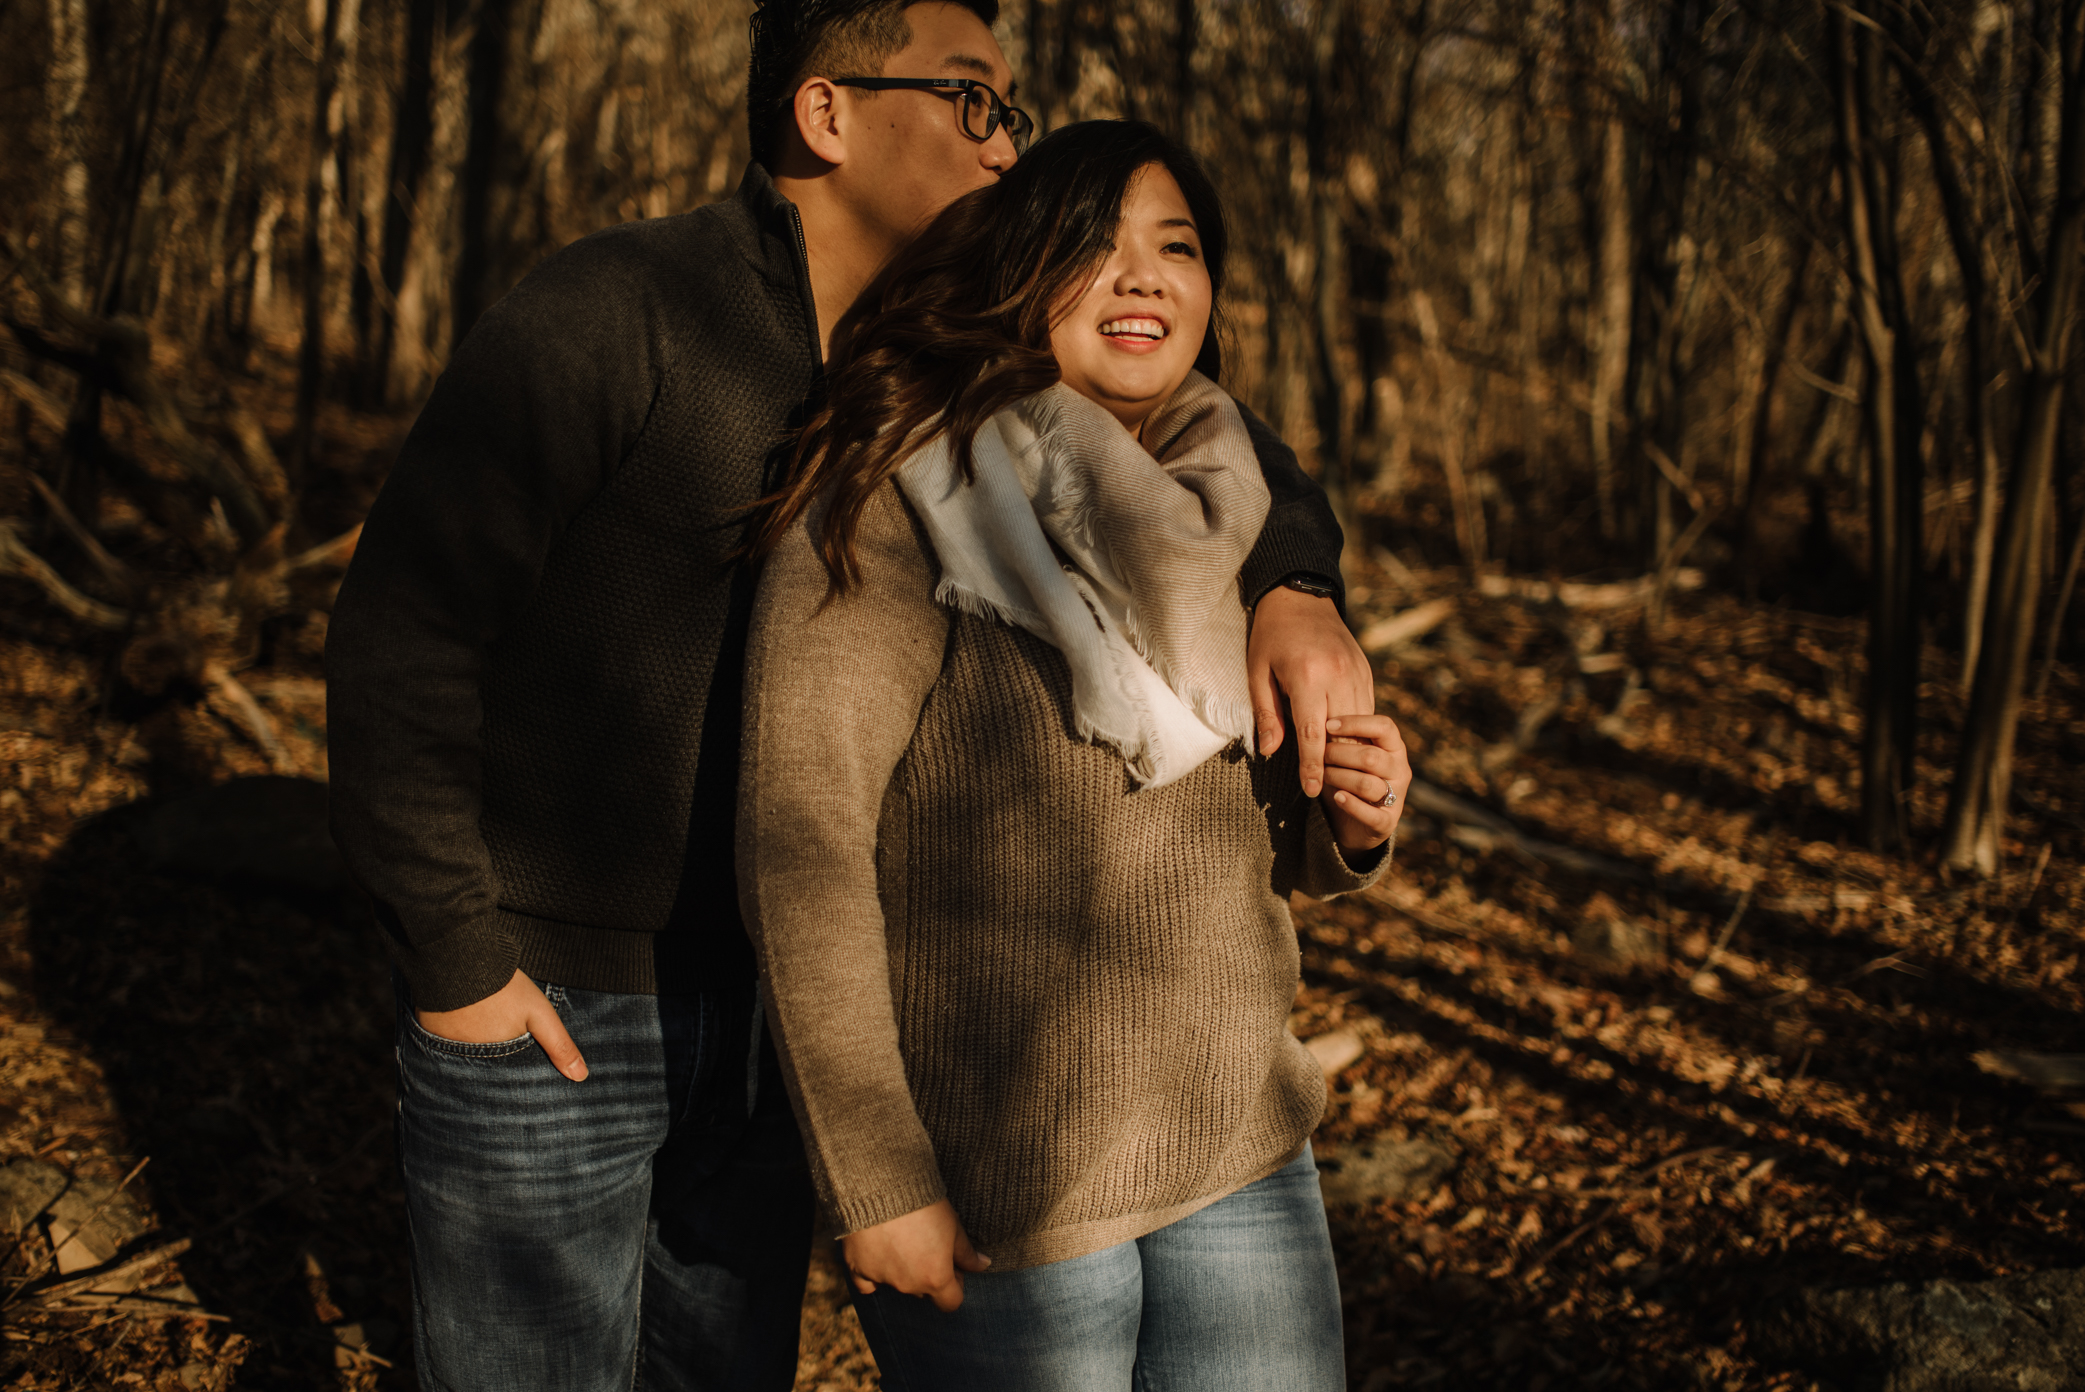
<point>1131,341</point>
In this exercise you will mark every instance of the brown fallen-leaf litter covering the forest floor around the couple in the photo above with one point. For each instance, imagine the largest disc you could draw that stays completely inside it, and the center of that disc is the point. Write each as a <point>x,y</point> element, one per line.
<point>1780,1091</point>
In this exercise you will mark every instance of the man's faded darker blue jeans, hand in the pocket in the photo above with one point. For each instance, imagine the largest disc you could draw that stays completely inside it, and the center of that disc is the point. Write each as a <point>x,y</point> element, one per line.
<point>643,1228</point>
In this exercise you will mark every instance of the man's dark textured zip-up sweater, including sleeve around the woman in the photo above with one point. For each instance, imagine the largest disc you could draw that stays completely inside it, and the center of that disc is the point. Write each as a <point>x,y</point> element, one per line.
<point>535,664</point>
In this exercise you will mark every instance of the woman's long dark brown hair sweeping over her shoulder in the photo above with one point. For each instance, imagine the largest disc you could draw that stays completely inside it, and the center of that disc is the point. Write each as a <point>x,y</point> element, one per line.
<point>964,318</point>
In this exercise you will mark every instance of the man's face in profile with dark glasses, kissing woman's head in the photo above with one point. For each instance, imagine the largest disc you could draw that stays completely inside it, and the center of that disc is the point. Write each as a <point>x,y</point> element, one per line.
<point>906,151</point>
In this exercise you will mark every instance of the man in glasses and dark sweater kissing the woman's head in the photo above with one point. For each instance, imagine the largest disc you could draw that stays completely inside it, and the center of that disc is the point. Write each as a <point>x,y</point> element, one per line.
<point>535,703</point>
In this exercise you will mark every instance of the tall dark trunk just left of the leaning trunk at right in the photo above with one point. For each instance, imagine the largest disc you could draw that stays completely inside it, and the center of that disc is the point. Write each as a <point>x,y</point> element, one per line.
<point>1892,420</point>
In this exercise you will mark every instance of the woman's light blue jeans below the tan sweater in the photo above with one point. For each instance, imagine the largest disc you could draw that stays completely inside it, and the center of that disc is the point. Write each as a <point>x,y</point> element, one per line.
<point>1240,1297</point>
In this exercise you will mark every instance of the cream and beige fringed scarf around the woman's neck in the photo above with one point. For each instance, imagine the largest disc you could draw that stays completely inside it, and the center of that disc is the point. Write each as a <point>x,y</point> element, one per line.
<point>1125,560</point>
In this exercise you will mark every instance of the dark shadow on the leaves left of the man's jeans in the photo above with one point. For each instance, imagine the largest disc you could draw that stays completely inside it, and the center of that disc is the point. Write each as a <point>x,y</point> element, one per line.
<point>243,1033</point>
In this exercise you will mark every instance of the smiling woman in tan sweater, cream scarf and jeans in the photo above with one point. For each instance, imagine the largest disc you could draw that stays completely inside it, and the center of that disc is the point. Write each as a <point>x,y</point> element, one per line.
<point>1016,885</point>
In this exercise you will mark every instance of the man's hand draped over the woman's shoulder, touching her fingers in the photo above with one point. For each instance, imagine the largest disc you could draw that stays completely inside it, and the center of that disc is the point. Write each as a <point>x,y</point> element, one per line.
<point>1302,651</point>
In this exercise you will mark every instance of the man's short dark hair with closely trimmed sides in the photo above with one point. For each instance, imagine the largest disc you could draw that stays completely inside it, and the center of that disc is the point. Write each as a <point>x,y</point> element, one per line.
<point>823,39</point>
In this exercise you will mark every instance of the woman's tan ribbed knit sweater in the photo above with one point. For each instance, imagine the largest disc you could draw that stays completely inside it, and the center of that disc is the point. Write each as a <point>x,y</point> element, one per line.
<point>996,974</point>
